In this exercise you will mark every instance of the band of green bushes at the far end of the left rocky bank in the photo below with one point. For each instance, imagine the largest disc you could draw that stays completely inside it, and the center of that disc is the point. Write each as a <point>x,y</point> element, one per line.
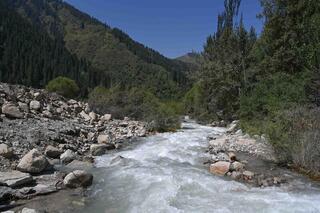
<point>136,103</point>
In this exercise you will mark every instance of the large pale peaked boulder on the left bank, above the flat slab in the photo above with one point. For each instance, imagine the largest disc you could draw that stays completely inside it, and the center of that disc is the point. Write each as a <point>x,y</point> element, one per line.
<point>33,162</point>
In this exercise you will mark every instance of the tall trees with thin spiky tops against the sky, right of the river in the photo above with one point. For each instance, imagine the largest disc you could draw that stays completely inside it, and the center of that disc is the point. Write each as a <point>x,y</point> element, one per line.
<point>224,74</point>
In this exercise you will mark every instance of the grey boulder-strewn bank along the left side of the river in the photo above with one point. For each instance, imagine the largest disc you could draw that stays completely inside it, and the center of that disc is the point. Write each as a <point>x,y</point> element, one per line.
<point>40,131</point>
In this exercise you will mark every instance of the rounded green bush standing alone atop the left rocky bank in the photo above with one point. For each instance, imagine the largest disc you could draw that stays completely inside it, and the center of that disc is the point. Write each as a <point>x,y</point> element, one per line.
<point>63,86</point>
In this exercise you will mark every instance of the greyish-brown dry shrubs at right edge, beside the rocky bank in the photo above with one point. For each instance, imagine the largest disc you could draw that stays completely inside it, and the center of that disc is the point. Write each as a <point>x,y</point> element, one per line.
<point>294,134</point>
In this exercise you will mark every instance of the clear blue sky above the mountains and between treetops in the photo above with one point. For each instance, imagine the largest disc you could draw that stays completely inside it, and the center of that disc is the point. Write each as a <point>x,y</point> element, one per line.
<point>172,27</point>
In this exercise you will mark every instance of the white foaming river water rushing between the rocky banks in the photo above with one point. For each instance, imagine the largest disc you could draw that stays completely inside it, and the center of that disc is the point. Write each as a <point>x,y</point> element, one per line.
<point>165,173</point>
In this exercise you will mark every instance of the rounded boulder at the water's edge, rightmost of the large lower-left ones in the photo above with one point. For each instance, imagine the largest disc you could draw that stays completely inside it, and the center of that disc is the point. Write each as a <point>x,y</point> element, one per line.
<point>78,178</point>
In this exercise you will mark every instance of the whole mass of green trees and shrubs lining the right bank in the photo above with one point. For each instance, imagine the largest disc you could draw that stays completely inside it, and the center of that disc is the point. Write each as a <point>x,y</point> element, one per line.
<point>270,82</point>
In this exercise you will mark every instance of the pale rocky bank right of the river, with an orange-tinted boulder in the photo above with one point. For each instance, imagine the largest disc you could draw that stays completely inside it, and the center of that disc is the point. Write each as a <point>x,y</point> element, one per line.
<point>243,158</point>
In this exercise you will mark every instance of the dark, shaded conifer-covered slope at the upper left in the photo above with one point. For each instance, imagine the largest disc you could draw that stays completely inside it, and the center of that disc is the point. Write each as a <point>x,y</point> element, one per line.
<point>29,56</point>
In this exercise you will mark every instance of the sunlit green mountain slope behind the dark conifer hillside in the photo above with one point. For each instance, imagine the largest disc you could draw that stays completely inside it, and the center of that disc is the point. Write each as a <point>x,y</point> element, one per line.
<point>118,59</point>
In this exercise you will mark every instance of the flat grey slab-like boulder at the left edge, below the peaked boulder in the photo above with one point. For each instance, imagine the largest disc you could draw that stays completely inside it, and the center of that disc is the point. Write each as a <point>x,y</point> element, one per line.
<point>15,179</point>
